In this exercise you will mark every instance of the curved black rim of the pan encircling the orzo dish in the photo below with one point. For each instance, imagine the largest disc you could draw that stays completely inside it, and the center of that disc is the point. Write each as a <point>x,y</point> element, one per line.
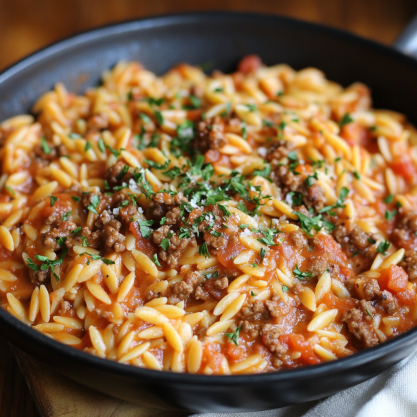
<point>106,365</point>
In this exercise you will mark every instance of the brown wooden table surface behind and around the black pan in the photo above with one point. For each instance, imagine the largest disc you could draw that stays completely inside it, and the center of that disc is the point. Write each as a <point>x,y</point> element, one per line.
<point>27,25</point>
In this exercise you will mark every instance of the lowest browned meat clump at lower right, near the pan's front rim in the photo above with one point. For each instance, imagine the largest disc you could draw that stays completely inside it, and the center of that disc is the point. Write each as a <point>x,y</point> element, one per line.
<point>359,322</point>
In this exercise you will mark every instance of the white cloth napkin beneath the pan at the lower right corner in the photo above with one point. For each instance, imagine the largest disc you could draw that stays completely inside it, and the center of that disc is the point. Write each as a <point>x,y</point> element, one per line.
<point>391,394</point>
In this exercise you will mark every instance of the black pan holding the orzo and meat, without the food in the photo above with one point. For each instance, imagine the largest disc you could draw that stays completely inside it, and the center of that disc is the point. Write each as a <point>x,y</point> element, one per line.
<point>221,39</point>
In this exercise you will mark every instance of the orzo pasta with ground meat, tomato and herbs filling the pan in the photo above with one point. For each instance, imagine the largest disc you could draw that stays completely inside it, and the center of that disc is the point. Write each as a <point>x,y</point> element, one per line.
<point>218,224</point>
